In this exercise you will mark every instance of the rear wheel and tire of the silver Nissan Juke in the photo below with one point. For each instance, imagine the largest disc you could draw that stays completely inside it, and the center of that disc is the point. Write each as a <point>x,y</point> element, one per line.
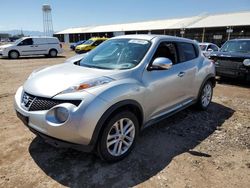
<point>205,96</point>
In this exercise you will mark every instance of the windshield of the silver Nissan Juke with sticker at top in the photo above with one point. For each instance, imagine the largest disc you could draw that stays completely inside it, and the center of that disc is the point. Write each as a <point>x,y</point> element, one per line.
<point>117,54</point>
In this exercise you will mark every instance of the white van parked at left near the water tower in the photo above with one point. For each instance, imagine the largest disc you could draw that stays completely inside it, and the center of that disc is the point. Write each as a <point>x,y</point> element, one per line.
<point>25,46</point>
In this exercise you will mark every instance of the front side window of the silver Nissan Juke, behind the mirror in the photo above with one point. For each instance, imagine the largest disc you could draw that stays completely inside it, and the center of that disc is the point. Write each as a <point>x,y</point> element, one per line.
<point>168,50</point>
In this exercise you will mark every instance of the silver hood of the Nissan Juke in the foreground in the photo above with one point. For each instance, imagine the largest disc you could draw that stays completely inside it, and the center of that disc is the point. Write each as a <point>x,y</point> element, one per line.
<point>50,81</point>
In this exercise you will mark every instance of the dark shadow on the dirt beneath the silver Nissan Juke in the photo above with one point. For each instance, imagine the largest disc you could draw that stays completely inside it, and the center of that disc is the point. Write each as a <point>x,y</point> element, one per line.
<point>155,149</point>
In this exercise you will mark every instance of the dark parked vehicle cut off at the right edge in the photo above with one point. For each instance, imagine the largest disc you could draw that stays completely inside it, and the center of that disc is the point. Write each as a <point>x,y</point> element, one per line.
<point>233,59</point>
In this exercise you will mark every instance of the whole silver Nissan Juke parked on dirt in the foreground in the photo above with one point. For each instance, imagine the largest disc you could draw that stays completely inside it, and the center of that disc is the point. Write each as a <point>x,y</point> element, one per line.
<point>101,100</point>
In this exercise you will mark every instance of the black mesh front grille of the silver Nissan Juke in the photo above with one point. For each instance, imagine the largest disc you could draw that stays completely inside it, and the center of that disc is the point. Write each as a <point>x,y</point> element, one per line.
<point>41,103</point>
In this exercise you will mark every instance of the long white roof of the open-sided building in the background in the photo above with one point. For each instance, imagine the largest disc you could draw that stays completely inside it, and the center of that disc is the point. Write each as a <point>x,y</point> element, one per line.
<point>201,21</point>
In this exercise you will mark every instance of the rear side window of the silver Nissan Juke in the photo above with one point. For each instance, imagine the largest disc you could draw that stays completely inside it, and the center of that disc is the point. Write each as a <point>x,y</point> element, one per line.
<point>186,51</point>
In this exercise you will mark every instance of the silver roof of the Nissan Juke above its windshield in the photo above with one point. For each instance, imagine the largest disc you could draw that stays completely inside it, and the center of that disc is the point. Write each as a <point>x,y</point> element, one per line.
<point>151,37</point>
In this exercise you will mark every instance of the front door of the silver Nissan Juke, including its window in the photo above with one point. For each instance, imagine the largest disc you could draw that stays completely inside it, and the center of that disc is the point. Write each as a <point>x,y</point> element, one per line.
<point>167,89</point>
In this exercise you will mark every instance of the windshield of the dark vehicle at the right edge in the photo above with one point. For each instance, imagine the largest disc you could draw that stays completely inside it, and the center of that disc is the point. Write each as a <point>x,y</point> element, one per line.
<point>242,46</point>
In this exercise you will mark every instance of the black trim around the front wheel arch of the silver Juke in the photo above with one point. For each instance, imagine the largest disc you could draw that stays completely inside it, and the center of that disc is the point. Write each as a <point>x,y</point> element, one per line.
<point>105,117</point>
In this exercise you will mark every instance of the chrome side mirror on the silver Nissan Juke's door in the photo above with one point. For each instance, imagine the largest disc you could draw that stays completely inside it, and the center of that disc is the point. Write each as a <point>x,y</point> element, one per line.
<point>161,63</point>
